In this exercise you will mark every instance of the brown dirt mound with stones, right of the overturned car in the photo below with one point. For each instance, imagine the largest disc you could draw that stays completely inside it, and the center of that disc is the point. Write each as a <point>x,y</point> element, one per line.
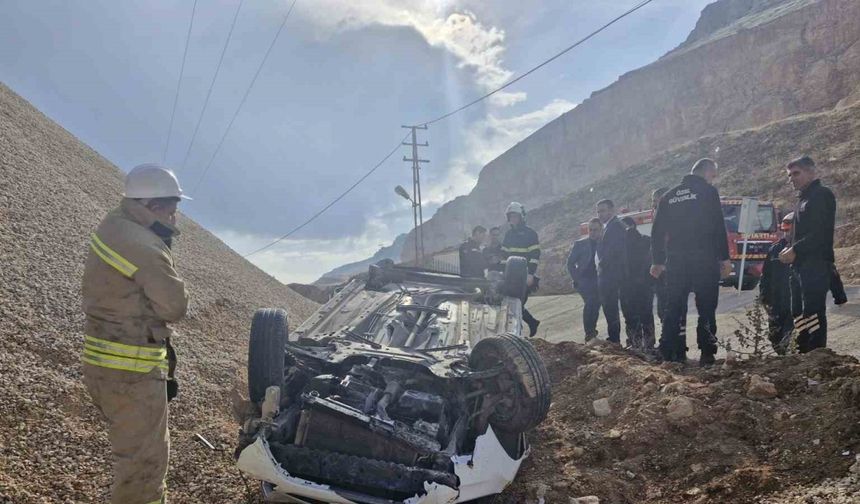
<point>727,434</point>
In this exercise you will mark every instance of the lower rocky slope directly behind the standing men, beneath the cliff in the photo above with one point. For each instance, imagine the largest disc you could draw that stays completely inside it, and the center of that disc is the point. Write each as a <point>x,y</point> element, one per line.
<point>752,163</point>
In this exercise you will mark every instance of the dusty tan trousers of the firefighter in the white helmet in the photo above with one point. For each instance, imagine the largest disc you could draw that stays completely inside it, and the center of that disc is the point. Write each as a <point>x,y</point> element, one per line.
<point>136,412</point>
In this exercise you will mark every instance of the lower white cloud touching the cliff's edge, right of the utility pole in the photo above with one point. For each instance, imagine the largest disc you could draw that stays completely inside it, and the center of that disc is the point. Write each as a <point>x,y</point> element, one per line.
<point>486,140</point>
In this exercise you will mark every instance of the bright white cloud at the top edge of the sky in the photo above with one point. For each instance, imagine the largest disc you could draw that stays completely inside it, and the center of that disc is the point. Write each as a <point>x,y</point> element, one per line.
<point>476,47</point>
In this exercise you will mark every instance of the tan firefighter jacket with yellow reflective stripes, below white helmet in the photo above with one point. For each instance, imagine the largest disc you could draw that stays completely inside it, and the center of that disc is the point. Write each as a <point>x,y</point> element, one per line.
<point>130,292</point>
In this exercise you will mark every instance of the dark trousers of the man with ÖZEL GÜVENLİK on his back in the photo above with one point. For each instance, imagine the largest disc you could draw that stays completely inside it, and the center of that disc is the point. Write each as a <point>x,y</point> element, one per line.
<point>701,276</point>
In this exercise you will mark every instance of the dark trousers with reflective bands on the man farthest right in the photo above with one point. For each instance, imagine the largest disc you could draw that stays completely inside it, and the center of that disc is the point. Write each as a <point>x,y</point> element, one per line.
<point>809,303</point>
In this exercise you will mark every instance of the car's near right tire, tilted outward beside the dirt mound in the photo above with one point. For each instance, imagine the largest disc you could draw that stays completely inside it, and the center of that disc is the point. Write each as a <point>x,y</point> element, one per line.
<point>524,382</point>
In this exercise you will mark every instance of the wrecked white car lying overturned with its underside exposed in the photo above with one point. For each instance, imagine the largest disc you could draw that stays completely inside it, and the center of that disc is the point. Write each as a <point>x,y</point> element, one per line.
<point>411,387</point>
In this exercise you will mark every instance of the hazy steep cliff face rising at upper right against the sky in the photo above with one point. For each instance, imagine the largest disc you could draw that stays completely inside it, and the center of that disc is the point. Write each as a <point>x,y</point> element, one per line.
<point>746,64</point>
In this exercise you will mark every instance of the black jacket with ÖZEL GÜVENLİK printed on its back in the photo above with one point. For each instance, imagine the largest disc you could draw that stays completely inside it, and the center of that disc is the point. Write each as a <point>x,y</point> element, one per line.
<point>689,222</point>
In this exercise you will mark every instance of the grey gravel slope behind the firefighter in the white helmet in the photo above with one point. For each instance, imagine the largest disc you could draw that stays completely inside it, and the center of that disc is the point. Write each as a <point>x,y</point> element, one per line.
<point>53,192</point>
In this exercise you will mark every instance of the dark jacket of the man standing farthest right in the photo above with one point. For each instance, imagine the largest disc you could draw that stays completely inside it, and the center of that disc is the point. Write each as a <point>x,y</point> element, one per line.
<point>814,223</point>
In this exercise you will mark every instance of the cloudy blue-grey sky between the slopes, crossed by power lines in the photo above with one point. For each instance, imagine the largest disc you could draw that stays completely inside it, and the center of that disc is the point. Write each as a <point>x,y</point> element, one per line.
<point>327,106</point>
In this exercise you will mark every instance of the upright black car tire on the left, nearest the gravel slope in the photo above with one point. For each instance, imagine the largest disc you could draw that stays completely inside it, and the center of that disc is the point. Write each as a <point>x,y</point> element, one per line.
<point>269,334</point>
